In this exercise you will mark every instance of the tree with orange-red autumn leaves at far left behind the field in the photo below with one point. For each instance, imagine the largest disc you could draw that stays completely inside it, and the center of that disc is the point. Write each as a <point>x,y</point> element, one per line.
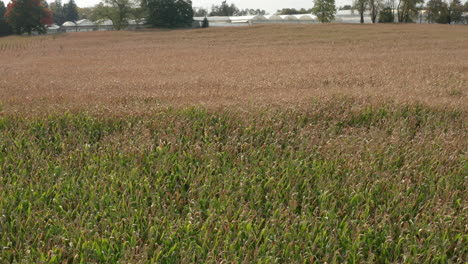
<point>26,16</point>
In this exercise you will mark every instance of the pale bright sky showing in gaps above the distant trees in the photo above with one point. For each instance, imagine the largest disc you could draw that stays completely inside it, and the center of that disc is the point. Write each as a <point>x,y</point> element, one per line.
<point>269,5</point>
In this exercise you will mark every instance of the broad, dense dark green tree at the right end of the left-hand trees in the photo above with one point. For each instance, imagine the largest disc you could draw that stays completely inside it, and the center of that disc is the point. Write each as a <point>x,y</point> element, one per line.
<point>170,13</point>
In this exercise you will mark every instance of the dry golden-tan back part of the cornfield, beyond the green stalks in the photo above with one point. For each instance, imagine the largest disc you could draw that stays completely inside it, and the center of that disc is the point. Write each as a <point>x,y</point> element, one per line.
<point>261,65</point>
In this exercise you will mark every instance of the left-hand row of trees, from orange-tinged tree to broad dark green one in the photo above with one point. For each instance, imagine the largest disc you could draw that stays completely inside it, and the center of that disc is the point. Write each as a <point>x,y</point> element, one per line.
<point>27,16</point>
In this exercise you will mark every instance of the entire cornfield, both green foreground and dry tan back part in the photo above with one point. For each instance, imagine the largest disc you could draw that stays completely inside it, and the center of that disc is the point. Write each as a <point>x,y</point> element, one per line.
<point>289,144</point>
